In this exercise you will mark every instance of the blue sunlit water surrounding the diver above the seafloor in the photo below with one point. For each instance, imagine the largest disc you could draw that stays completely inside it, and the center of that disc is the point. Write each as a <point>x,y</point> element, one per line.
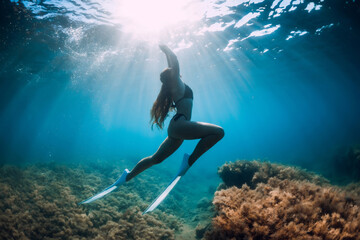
<point>281,77</point>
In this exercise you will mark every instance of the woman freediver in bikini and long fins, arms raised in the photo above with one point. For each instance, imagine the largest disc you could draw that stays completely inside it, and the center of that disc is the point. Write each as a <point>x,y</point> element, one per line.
<point>174,95</point>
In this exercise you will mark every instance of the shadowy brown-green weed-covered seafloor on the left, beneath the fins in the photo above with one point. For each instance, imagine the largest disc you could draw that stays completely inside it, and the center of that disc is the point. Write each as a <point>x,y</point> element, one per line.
<point>40,202</point>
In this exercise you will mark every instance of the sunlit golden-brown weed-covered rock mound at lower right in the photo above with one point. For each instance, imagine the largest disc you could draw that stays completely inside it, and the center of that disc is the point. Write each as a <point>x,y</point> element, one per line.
<point>287,203</point>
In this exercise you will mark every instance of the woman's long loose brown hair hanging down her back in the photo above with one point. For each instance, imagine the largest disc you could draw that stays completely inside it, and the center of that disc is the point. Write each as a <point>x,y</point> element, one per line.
<point>163,103</point>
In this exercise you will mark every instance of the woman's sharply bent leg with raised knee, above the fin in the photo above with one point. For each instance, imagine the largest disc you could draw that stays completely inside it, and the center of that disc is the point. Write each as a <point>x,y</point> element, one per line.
<point>210,134</point>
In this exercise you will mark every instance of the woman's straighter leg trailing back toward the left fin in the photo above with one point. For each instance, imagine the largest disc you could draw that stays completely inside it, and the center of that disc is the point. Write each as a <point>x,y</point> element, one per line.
<point>168,147</point>
